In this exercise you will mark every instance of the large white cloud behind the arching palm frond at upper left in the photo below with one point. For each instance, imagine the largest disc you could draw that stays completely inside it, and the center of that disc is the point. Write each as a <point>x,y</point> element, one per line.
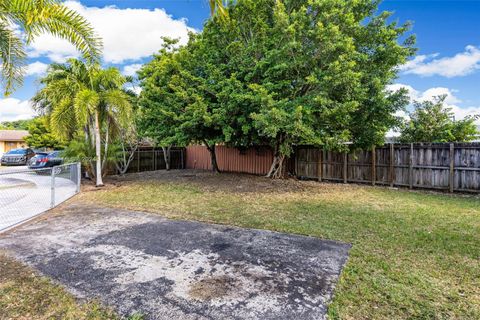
<point>128,34</point>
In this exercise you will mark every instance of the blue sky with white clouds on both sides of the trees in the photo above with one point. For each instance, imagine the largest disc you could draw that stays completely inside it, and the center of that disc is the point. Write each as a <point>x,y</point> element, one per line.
<point>447,62</point>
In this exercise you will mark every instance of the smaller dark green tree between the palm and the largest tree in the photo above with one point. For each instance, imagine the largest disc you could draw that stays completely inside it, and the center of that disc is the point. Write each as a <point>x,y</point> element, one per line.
<point>178,104</point>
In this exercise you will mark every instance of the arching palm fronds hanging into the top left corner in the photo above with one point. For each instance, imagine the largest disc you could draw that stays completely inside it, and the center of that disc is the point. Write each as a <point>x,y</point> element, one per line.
<point>33,17</point>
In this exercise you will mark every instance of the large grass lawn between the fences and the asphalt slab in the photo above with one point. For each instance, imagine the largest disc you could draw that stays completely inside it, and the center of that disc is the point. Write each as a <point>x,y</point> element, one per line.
<point>415,255</point>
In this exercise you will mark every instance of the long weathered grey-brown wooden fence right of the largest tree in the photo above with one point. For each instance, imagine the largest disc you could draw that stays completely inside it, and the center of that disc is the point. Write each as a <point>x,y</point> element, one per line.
<point>445,166</point>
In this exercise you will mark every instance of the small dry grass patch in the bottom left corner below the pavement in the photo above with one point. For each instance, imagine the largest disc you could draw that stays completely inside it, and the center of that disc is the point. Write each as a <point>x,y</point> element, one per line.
<point>26,295</point>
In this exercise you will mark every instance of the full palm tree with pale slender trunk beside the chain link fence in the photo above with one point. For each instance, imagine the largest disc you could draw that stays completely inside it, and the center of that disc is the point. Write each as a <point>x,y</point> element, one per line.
<point>82,97</point>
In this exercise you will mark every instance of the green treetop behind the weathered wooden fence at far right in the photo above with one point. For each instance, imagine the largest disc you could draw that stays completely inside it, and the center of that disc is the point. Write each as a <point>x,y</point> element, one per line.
<point>433,121</point>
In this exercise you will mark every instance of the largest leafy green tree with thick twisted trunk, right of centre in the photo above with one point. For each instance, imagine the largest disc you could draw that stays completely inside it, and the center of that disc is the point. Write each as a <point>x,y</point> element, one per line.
<point>306,72</point>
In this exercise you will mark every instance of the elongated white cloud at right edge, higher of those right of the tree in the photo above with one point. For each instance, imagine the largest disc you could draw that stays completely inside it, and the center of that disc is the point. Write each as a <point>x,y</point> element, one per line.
<point>461,64</point>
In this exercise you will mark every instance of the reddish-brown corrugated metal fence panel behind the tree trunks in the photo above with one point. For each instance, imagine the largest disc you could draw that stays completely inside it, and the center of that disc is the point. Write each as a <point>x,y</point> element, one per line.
<point>252,160</point>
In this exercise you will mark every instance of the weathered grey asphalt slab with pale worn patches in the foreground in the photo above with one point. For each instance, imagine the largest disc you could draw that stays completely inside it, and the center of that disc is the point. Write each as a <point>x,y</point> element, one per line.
<point>169,269</point>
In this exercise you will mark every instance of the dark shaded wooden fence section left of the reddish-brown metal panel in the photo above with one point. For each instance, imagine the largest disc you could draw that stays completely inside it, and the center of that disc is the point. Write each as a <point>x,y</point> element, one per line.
<point>153,159</point>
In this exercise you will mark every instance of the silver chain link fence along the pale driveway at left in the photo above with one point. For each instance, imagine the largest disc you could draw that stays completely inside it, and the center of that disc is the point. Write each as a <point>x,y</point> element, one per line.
<point>25,193</point>
